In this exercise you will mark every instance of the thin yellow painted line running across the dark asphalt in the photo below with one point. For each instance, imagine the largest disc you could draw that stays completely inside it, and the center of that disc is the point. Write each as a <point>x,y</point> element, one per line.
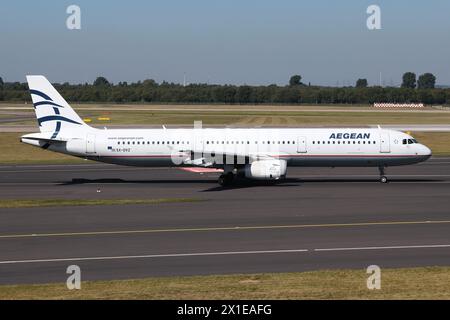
<point>235,228</point>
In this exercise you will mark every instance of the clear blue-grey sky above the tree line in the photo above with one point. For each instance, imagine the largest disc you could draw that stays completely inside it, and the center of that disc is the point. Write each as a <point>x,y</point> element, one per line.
<point>254,42</point>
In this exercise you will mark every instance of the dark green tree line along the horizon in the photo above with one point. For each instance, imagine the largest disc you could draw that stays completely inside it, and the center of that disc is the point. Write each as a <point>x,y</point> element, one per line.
<point>296,92</point>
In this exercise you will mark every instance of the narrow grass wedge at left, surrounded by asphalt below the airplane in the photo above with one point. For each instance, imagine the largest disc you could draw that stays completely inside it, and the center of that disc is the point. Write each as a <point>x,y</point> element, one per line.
<point>30,203</point>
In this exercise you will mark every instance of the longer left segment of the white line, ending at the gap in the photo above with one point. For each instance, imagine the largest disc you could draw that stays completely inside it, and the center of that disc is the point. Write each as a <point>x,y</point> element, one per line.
<point>169,255</point>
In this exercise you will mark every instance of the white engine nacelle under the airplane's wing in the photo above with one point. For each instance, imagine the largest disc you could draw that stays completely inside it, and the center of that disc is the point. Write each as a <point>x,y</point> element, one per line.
<point>266,169</point>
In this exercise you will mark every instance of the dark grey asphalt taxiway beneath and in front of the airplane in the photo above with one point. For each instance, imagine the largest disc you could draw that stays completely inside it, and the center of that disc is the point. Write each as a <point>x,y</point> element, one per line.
<point>319,218</point>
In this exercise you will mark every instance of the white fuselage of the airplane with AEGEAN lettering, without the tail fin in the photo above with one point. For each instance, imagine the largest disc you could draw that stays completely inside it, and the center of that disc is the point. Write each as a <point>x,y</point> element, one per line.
<point>299,147</point>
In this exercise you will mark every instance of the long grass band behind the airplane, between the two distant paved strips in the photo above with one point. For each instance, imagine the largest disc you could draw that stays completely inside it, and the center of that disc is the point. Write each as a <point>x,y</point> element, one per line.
<point>260,118</point>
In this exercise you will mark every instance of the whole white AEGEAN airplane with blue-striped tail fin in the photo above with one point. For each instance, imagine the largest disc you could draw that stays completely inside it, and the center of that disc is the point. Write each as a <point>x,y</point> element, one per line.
<point>253,153</point>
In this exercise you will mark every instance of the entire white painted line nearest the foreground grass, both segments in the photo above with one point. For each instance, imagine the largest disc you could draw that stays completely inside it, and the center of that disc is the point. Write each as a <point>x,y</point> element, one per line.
<point>200,254</point>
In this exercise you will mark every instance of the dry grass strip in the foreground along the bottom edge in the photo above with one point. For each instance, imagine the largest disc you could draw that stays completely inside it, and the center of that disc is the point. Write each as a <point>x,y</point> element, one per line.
<point>404,283</point>
